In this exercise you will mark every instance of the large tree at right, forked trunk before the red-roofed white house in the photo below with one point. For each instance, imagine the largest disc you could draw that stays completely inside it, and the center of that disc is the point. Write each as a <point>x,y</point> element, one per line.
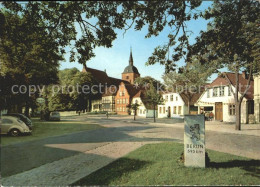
<point>232,40</point>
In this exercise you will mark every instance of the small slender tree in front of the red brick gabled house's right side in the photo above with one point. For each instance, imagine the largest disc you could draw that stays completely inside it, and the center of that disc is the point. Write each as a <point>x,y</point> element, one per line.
<point>155,98</point>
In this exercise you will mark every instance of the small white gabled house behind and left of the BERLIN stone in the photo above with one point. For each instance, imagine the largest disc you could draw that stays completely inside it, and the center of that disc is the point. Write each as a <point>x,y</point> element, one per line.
<point>175,105</point>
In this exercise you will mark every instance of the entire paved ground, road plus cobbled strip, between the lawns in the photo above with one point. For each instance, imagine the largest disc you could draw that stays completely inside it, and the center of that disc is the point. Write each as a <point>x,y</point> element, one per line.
<point>65,159</point>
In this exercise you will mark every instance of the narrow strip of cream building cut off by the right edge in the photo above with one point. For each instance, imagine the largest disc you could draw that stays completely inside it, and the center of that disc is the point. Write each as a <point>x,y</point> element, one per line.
<point>257,96</point>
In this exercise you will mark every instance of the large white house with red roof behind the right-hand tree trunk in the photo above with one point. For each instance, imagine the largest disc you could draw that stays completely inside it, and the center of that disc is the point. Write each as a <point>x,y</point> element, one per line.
<point>219,99</point>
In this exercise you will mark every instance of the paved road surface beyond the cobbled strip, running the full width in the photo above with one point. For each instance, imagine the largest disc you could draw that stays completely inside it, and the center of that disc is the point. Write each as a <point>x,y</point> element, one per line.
<point>26,156</point>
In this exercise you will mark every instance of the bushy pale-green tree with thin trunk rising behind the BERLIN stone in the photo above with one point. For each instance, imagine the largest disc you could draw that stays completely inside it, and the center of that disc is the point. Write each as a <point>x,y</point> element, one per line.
<point>190,80</point>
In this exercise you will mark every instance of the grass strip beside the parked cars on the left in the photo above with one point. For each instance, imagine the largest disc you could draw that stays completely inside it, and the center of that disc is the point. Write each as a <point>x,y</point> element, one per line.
<point>43,129</point>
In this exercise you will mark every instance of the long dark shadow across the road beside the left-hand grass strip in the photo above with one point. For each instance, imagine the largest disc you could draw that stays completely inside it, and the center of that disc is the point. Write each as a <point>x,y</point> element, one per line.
<point>24,156</point>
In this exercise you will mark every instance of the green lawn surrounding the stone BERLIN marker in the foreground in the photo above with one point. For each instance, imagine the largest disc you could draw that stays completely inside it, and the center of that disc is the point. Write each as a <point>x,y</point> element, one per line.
<point>157,164</point>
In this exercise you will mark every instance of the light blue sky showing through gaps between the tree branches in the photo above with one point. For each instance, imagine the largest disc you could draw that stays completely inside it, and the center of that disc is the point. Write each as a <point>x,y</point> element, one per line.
<point>116,58</point>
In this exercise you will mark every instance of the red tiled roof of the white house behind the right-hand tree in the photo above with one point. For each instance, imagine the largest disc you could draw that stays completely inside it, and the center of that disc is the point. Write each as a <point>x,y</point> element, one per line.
<point>222,81</point>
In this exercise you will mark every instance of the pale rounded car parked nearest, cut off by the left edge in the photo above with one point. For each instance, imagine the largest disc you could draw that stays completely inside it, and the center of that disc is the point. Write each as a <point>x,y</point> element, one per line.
<point>13,126</point>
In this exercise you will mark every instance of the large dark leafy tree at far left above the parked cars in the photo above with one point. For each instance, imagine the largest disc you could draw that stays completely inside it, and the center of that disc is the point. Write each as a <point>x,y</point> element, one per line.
<point>23,60</point>
